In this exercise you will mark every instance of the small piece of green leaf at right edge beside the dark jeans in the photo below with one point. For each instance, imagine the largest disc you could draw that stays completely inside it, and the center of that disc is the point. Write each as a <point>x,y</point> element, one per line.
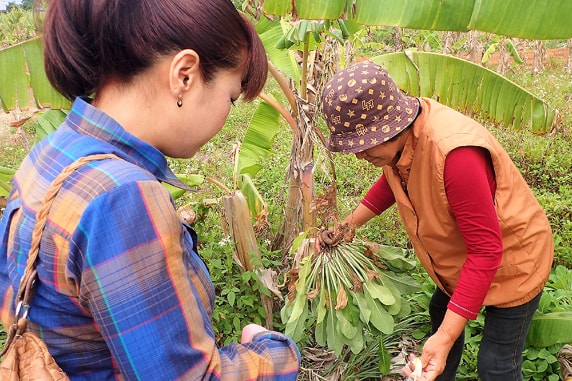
<point>549,329</point>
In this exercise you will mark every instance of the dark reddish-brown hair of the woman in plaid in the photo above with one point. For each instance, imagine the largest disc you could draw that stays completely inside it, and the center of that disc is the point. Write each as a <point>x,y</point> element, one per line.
<point>89,42</point>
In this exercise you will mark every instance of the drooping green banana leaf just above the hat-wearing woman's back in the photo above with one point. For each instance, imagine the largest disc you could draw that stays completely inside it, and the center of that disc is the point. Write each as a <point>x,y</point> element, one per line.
<point>468,87</point>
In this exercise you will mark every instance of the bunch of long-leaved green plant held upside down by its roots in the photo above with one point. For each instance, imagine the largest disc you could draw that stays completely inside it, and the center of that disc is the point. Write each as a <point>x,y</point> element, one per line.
<point>346,289</point>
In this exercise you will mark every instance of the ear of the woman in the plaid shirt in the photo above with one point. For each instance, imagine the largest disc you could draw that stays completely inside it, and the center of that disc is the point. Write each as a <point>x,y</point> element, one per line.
<point>184,71</point>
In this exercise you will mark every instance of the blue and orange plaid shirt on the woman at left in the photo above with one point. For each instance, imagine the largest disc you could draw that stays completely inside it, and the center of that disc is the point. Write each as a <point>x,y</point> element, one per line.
<point>122,294</point>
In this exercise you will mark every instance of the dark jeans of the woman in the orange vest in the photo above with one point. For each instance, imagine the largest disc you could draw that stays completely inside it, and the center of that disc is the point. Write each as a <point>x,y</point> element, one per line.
<point>502,344</point>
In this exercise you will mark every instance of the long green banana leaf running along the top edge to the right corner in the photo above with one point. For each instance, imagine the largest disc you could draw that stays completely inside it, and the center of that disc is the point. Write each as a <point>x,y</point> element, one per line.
<point>534,19</point>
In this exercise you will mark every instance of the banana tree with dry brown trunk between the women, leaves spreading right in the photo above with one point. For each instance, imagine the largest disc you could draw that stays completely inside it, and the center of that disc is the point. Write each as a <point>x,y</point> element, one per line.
<point>304,39</point>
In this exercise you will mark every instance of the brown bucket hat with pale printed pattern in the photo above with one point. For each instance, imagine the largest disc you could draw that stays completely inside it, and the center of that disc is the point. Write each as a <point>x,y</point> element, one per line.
<point>363,107</point>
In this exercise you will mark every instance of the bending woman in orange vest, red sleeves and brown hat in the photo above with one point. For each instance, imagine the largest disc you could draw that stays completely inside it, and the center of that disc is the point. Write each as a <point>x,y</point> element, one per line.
<point>476,227</point>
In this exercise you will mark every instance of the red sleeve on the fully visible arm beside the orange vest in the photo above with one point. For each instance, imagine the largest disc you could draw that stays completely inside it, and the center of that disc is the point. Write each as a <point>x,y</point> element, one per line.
<point>470,186</point>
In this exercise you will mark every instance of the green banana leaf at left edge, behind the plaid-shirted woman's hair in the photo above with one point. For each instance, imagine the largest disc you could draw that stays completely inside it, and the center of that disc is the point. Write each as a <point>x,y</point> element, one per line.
<point>22,69</point>
